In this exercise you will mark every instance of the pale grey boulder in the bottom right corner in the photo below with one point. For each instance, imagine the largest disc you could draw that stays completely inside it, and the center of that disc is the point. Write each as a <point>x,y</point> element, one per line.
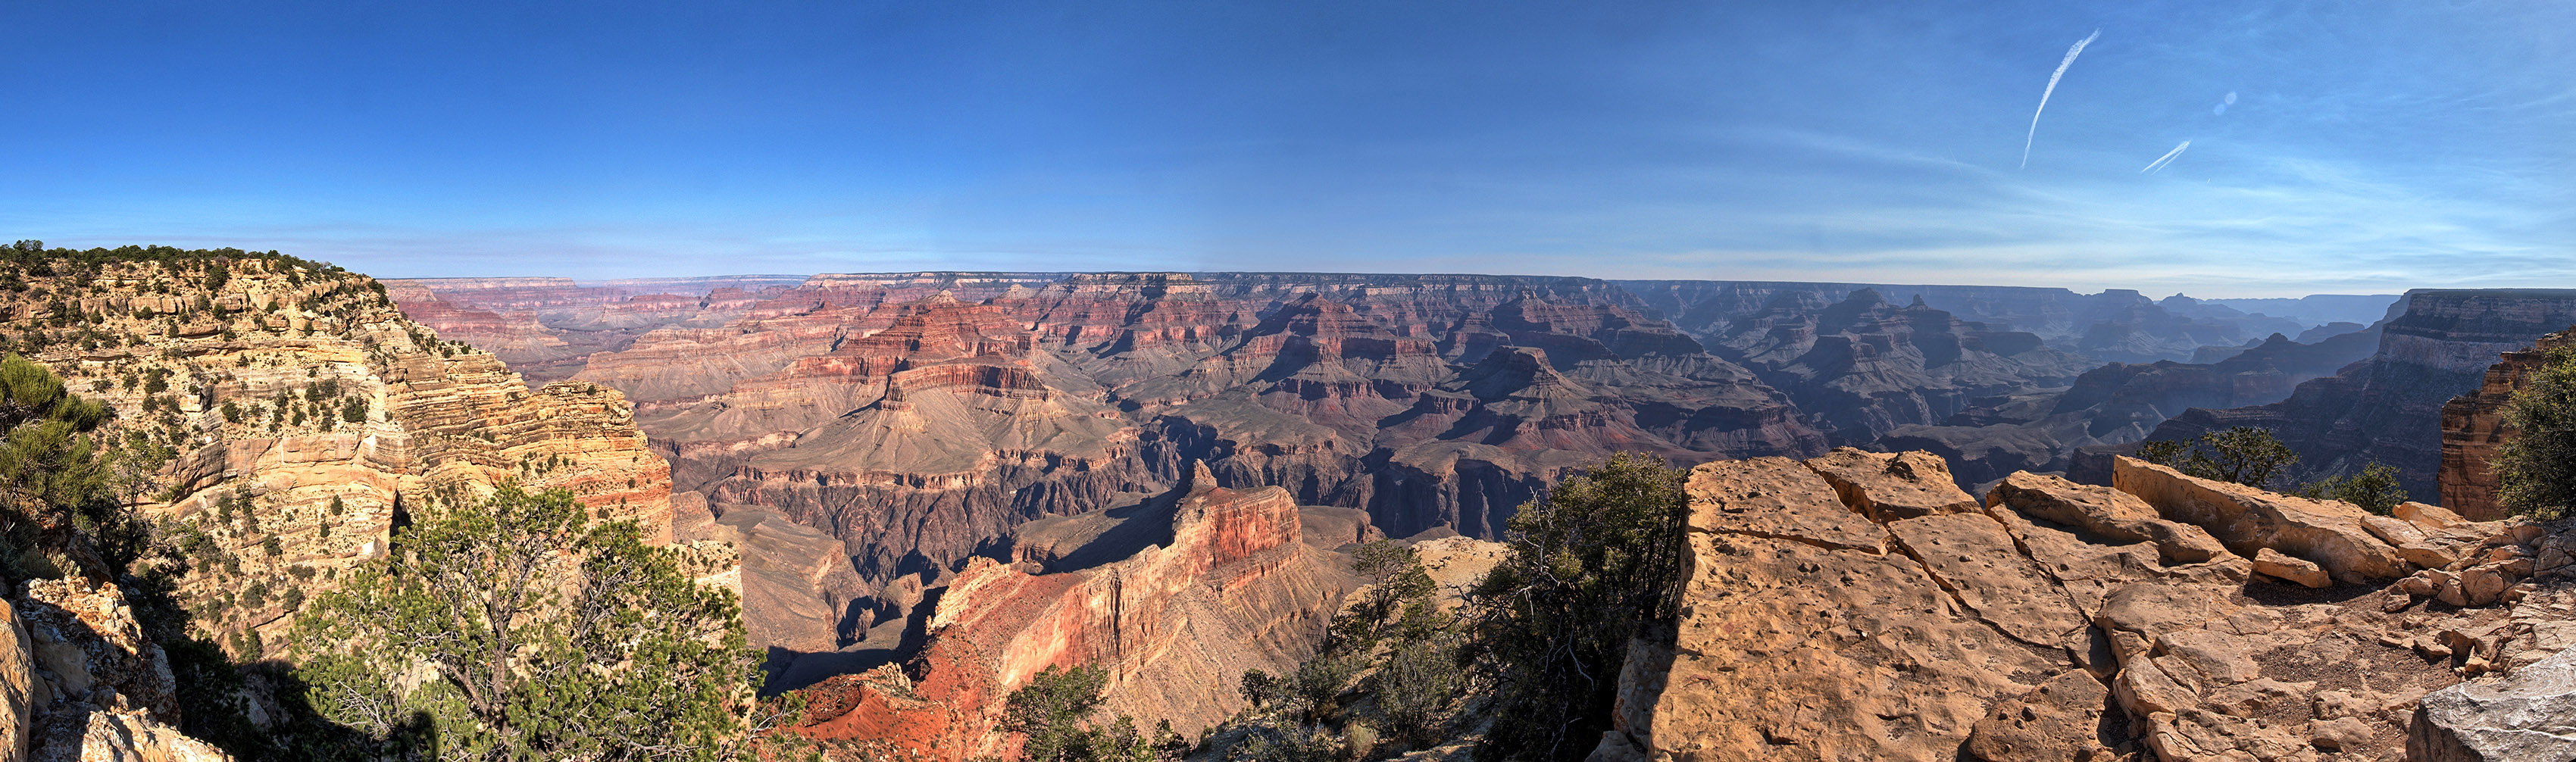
<point>2528,714</point>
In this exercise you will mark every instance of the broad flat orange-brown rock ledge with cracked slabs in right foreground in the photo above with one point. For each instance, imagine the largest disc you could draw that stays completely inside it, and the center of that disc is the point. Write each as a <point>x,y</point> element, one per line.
<point>1859,614</point>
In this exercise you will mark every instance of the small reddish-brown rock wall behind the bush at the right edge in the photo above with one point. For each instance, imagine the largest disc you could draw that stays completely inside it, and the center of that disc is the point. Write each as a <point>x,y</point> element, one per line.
<point>2474,429</point>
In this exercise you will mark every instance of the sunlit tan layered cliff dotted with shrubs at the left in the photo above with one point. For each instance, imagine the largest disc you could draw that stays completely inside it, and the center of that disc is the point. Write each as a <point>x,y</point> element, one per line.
<point>277,418</point>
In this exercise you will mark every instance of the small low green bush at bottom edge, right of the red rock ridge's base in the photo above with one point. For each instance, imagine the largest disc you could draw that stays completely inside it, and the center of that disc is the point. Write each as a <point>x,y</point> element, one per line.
<point>1050,712</point>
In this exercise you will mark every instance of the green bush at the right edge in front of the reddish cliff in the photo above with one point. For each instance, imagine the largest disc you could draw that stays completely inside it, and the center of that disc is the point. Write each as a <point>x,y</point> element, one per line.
<point>2539,462</point>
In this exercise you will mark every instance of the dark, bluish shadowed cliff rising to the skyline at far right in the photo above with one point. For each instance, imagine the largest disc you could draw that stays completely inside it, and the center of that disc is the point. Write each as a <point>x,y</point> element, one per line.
<point>2389,408</point>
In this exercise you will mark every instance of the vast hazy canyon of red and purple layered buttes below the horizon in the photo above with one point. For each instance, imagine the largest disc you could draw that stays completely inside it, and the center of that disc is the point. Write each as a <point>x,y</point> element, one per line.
<point>918,418</point>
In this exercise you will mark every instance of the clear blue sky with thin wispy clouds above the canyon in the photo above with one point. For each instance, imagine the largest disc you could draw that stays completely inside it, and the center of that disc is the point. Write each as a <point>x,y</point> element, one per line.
<point>2369,145</point>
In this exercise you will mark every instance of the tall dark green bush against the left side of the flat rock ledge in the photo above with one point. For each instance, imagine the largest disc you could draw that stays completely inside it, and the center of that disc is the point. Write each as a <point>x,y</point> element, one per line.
<point>1591,565</point>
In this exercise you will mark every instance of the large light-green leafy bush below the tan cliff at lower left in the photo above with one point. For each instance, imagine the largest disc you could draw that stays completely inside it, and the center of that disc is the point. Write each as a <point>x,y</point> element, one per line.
<point>545,637</point>
